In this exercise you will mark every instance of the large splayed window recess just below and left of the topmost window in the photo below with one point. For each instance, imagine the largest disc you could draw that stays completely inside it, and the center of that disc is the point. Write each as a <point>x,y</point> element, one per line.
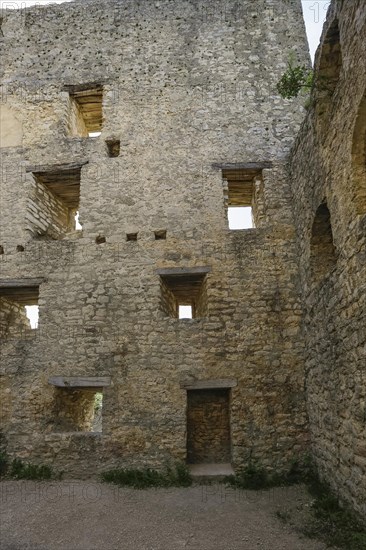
<point>54,201</point>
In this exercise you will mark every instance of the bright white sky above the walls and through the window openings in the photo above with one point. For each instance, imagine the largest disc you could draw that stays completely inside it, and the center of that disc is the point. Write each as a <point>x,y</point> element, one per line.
<point>314,15</point>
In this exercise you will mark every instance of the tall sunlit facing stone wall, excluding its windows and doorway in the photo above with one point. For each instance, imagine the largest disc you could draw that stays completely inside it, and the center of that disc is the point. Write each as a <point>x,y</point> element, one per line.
<point>186,88</point>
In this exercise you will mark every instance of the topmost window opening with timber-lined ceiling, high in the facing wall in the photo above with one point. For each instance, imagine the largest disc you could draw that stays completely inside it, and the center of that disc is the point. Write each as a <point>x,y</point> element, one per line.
<point>86,110</point>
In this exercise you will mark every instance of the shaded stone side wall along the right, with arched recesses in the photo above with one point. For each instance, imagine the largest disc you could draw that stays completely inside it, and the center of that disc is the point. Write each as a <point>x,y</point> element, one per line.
<point>326,168</point>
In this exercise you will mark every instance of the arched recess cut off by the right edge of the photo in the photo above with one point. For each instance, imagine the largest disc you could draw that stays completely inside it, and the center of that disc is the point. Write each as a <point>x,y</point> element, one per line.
<point>359,158</point>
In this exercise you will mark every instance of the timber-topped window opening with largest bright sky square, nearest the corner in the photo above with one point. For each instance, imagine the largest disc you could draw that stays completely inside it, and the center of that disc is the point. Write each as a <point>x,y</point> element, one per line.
<point>244,197</point>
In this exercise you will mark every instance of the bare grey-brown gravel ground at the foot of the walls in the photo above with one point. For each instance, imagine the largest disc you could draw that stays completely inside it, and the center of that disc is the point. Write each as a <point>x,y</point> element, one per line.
<point>92,516</point>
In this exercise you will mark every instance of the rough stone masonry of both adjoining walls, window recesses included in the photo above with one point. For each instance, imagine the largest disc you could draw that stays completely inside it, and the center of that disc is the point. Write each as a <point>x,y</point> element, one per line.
<point>154,121</point>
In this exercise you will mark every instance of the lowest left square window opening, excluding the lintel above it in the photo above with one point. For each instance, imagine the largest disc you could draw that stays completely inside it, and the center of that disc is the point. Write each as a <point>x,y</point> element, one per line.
<point>78,410</point>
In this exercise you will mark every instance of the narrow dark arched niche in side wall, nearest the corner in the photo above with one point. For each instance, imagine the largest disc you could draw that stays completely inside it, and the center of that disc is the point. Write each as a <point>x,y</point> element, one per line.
<point>322,250</point>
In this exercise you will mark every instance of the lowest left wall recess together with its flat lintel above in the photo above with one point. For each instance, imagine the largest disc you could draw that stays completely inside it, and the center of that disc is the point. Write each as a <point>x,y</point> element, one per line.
<point>78,403</point>
